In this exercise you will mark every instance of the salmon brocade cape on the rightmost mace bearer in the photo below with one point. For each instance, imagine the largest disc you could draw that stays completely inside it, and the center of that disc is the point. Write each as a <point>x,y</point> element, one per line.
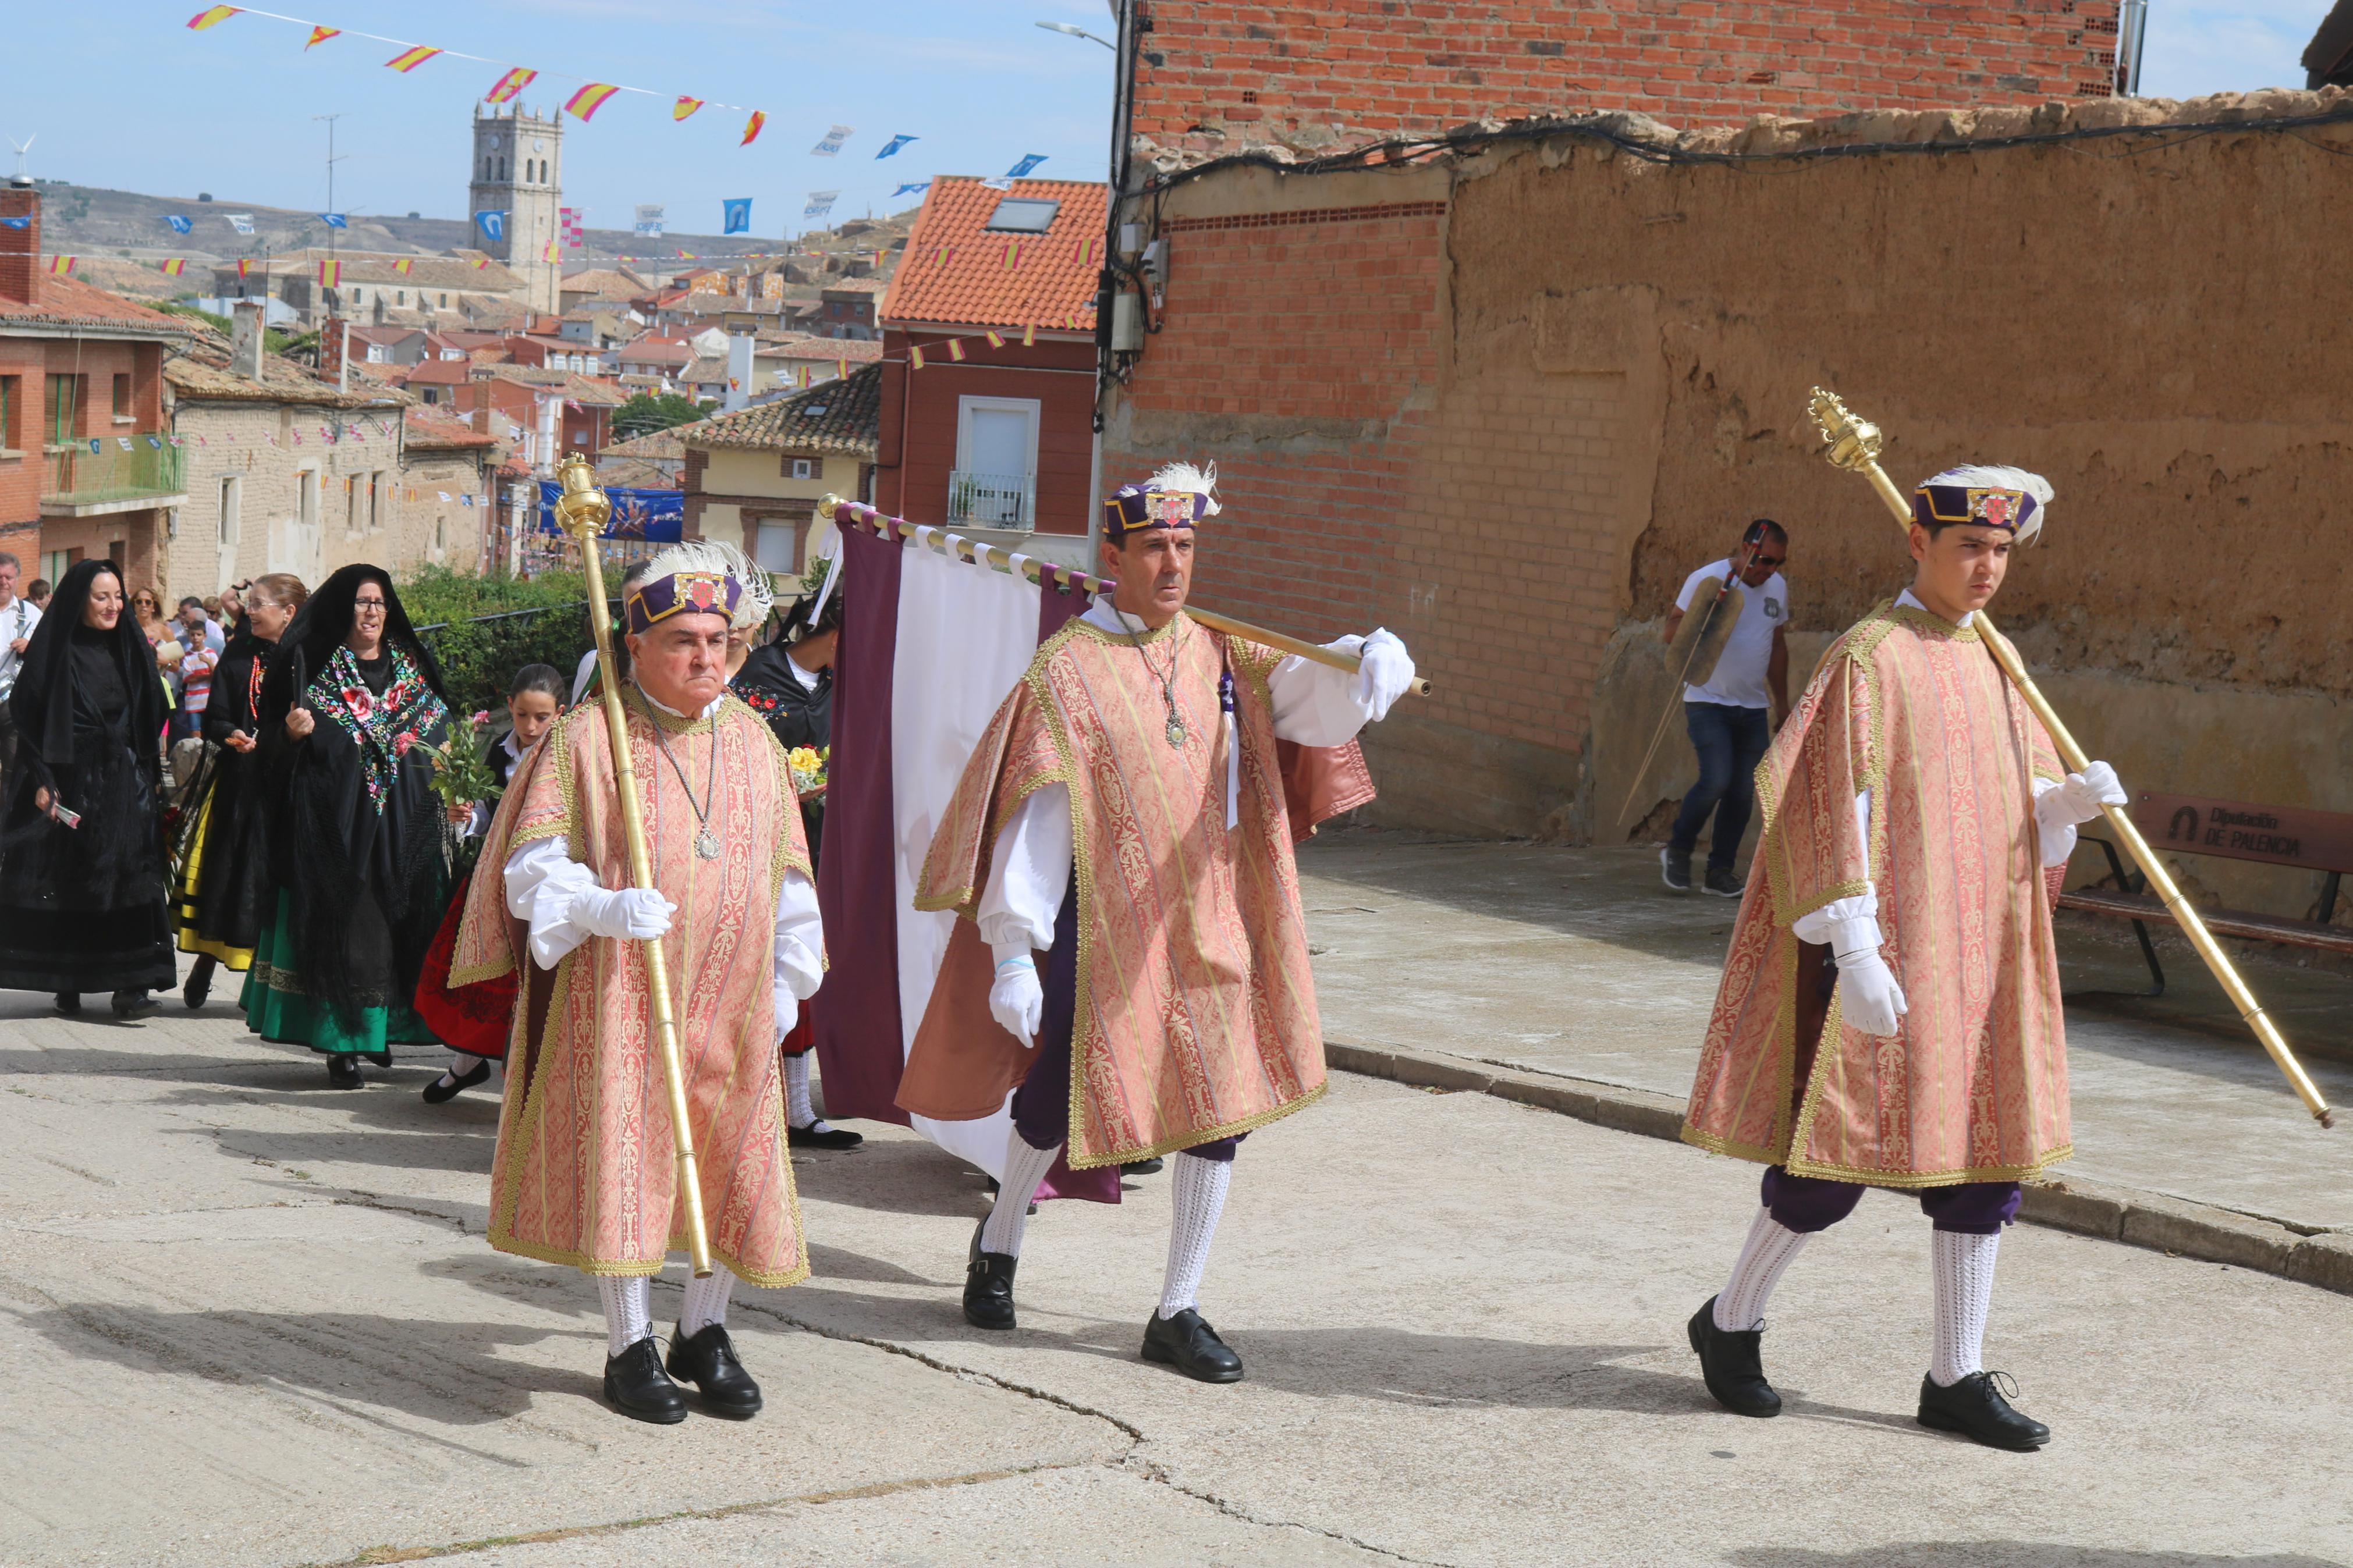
<point>1973,1083</point>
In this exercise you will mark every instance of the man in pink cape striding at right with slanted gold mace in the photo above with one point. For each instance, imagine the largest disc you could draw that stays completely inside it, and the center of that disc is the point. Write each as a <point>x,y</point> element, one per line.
<point>1891,1005</point>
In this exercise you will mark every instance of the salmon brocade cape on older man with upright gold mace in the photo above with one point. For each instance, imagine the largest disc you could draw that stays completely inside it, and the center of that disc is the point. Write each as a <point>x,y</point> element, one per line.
<point>587,1160</point>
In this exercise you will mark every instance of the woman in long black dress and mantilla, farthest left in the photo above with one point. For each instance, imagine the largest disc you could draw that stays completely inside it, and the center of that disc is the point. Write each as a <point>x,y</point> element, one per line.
<point>81,838</point>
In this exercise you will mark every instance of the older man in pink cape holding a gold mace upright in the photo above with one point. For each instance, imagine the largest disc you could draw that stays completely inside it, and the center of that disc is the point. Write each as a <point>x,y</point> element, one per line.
<point>585,1170</point>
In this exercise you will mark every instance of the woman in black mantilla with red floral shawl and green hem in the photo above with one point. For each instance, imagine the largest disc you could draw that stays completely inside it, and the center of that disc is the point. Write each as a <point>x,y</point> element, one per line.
<point>352,711</point>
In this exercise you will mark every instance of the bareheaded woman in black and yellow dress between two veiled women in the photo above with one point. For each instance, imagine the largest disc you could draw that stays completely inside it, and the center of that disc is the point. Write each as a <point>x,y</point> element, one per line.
<point>225,883</point>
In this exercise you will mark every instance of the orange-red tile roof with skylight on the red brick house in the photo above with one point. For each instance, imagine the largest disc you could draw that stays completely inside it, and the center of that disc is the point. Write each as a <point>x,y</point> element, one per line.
<point>956,272</point>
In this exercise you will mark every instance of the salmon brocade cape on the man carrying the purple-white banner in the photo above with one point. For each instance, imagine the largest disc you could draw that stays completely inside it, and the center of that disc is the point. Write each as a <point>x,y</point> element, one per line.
<point>1194,1003</point>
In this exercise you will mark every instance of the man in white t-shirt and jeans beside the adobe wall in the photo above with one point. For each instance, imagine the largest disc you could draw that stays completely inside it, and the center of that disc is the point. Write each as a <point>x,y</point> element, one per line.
<point>1735,713</point>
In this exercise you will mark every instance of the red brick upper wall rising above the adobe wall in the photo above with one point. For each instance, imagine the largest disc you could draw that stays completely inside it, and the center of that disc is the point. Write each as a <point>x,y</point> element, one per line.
<point>1222,74</point>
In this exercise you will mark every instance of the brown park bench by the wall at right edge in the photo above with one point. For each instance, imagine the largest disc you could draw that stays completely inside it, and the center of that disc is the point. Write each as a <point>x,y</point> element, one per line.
<point>2227,831</point>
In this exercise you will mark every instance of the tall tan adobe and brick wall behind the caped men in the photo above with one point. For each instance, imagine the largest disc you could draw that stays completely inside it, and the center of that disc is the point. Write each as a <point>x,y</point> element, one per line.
<point>1512,422</point>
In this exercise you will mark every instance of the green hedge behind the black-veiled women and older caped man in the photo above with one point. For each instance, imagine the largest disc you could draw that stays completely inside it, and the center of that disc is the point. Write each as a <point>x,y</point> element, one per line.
<point>481,641</point>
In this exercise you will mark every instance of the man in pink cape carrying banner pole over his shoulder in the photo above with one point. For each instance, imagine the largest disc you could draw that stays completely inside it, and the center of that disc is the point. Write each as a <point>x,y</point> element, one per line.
<point>1131,817</point>
